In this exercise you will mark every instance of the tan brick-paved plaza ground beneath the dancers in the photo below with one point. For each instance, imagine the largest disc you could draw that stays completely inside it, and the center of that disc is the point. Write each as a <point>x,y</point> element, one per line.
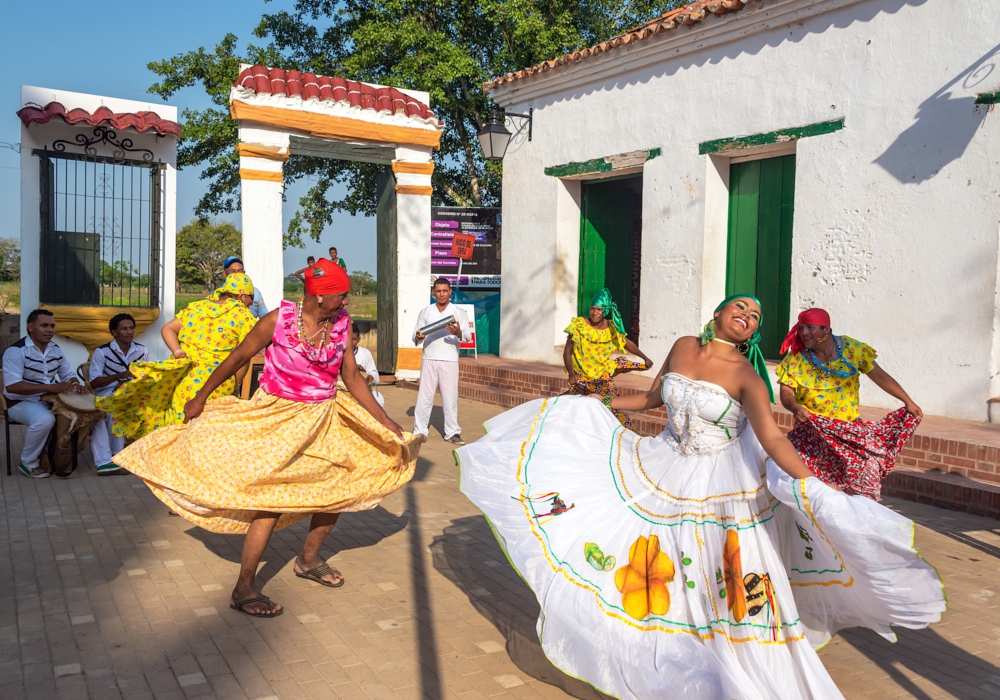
<point>104,594</point>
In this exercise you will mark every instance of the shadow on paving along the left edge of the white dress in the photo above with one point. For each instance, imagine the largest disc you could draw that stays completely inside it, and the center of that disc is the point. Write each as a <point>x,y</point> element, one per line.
<point>469,556</point>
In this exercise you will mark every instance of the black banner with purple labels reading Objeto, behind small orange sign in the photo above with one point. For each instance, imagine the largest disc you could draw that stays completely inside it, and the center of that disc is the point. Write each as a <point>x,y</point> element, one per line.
<point>479,226</point>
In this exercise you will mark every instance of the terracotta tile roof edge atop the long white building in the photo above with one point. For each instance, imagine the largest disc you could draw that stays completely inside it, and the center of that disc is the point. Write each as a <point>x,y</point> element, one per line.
<point>691,13</point>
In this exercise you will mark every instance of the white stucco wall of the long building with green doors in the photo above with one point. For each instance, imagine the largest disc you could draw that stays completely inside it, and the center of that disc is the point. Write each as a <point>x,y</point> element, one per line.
<point>897,215</point>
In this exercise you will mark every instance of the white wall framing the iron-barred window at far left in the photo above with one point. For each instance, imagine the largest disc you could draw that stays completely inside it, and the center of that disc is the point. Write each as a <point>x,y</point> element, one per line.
<point>41,135</point>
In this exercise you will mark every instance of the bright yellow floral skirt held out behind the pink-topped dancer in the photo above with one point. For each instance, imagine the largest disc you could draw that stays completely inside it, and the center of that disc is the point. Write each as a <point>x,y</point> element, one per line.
<point>157,395</point>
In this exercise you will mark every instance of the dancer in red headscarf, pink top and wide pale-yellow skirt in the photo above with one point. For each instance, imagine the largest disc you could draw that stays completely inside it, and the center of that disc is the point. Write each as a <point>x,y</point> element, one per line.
<point>296,448</point>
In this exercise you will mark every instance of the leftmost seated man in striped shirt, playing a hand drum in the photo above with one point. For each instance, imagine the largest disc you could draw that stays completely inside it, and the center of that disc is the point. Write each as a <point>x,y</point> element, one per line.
<point>33,366</point>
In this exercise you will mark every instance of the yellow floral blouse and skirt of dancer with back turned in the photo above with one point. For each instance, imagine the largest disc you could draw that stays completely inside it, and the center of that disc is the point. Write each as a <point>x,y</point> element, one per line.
<point>210,331</point>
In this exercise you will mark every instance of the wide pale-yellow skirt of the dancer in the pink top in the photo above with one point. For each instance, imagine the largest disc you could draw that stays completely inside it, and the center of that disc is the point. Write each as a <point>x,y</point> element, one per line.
<point>274,455</point>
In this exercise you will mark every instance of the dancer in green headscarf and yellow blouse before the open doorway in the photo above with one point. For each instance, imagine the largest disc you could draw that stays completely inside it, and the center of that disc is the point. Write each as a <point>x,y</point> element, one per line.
<point>590,350</point>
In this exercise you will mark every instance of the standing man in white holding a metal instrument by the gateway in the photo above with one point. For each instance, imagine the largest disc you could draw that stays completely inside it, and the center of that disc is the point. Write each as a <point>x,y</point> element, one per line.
<point>439,366</point>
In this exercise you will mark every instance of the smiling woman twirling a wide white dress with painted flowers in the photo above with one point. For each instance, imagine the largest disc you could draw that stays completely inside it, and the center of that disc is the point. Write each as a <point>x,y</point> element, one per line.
<point>705,562</point>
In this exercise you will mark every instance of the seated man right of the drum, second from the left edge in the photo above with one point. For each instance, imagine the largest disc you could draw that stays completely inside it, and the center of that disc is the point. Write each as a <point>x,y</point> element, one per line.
<point>108,371</point>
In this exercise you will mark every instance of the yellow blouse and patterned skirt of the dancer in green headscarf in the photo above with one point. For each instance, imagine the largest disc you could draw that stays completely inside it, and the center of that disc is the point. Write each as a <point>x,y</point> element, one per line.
<point>594,360</point>
